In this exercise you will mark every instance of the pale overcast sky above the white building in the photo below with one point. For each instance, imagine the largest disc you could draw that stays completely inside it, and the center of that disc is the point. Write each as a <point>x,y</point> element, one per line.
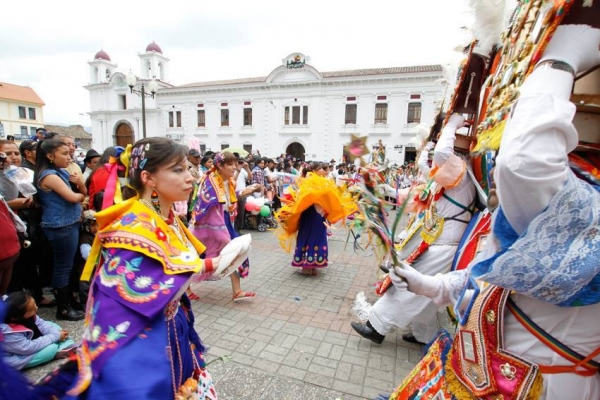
<point>47,44</point>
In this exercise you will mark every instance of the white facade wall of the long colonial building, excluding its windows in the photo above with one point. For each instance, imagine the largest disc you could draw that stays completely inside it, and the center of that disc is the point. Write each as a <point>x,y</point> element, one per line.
<point>323,137</point>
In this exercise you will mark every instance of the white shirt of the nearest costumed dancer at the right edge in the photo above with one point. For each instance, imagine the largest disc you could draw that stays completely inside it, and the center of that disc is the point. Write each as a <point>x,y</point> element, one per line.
<point>531,168</point>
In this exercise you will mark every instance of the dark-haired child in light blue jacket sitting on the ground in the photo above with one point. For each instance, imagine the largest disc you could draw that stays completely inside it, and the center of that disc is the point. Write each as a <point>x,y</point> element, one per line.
<point>28,339</point>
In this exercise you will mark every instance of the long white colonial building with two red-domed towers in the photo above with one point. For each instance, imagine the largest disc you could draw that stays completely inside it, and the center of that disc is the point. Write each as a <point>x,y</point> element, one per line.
<point>296,109</point>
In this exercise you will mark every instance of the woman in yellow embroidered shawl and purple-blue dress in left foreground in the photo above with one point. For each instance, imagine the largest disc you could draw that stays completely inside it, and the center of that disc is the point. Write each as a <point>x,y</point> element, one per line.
<point>140,341</point>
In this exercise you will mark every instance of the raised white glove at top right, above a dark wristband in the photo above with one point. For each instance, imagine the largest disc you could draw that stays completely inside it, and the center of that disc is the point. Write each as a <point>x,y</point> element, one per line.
<point>576,45</point>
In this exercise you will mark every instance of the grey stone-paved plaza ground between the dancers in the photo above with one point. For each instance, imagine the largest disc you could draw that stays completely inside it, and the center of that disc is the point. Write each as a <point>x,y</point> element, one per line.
<point>294,340</point>
